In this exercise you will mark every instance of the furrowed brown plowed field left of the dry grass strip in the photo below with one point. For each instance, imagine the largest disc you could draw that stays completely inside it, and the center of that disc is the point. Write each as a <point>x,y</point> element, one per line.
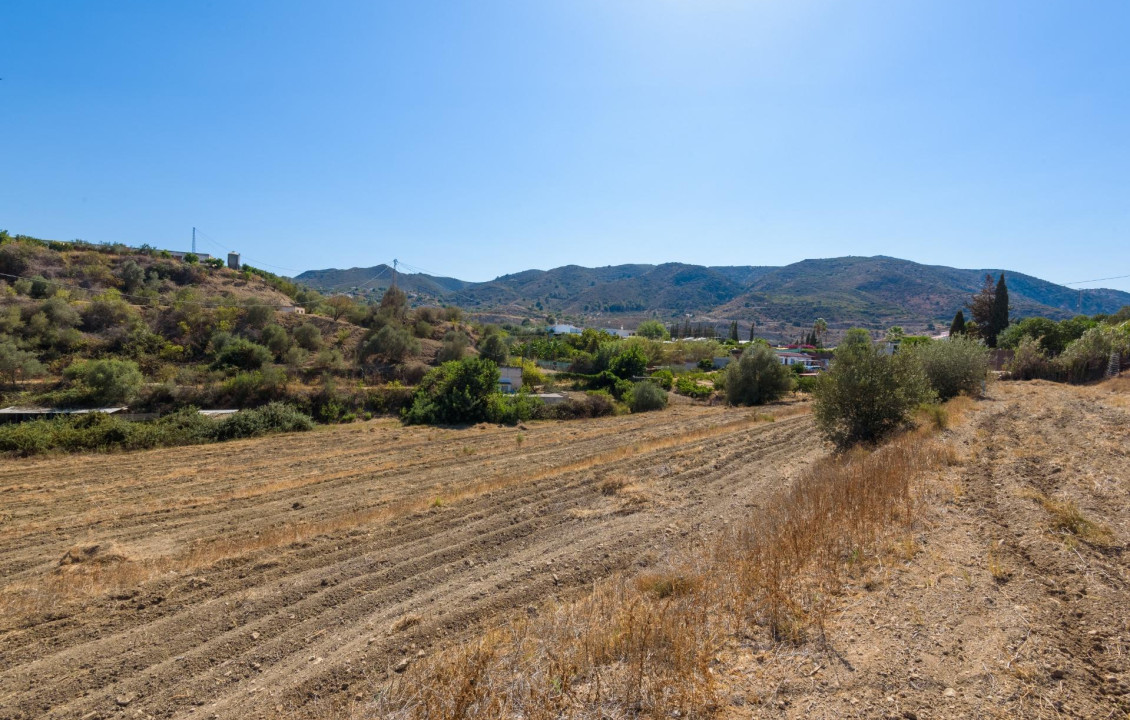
<point>251,578</point>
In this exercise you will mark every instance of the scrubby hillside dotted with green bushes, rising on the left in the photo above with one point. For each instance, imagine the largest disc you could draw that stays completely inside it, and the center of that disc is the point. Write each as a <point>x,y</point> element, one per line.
<point>109,326</point>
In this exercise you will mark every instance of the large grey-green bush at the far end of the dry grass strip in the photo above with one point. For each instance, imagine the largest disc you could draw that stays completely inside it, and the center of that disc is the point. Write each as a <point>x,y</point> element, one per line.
<point>868,396</point>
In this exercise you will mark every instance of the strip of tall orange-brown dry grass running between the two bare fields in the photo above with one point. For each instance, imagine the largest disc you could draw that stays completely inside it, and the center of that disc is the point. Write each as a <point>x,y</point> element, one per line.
<point>644,647</point>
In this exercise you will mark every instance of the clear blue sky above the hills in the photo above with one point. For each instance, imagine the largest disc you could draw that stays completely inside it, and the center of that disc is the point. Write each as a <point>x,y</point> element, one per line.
<point>485,137</point>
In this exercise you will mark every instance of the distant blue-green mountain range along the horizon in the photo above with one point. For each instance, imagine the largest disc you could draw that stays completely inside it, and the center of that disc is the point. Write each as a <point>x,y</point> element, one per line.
<point>876,292</point>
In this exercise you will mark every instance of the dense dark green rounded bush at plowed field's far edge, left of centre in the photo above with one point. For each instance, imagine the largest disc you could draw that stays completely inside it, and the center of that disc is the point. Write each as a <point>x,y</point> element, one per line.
<point>456,393</point>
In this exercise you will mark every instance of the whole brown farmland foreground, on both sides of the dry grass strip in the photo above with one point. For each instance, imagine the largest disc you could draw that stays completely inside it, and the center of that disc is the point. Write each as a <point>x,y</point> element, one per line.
<point>352,570</point>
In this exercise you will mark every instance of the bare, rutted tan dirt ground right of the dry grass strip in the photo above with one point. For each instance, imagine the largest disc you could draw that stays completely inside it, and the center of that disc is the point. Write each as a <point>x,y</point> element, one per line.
<point>1005,604</point>
